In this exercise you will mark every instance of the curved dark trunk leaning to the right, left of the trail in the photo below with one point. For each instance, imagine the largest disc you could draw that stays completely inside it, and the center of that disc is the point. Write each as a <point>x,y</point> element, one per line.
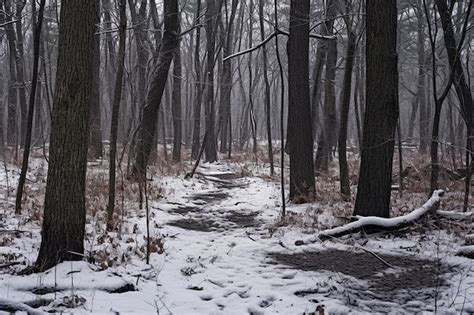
<point>156,88</point>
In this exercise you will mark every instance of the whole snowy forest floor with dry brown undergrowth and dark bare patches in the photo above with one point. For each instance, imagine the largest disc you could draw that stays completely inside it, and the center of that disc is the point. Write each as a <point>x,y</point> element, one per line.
<point>219,247</point>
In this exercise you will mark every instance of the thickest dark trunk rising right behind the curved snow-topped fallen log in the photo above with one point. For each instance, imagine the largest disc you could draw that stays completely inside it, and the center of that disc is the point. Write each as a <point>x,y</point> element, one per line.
<point>381,112</point>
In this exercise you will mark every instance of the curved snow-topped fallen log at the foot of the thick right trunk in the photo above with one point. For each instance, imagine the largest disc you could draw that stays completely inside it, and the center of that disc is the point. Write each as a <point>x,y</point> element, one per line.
<point>376,222</point>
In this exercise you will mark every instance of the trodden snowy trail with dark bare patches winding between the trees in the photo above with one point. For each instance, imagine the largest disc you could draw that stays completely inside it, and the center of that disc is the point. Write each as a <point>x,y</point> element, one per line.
<point>234,265</point>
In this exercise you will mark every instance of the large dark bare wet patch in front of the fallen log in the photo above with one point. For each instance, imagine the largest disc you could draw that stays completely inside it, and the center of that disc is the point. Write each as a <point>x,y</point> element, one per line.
<point>413,278</point>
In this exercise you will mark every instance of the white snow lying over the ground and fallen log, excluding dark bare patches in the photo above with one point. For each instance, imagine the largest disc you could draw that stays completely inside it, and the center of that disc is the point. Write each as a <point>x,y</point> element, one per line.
<point>223,271</point>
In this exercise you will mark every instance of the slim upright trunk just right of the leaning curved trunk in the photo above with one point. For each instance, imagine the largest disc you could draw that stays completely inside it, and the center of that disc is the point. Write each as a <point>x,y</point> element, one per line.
<point>176,106</point>
